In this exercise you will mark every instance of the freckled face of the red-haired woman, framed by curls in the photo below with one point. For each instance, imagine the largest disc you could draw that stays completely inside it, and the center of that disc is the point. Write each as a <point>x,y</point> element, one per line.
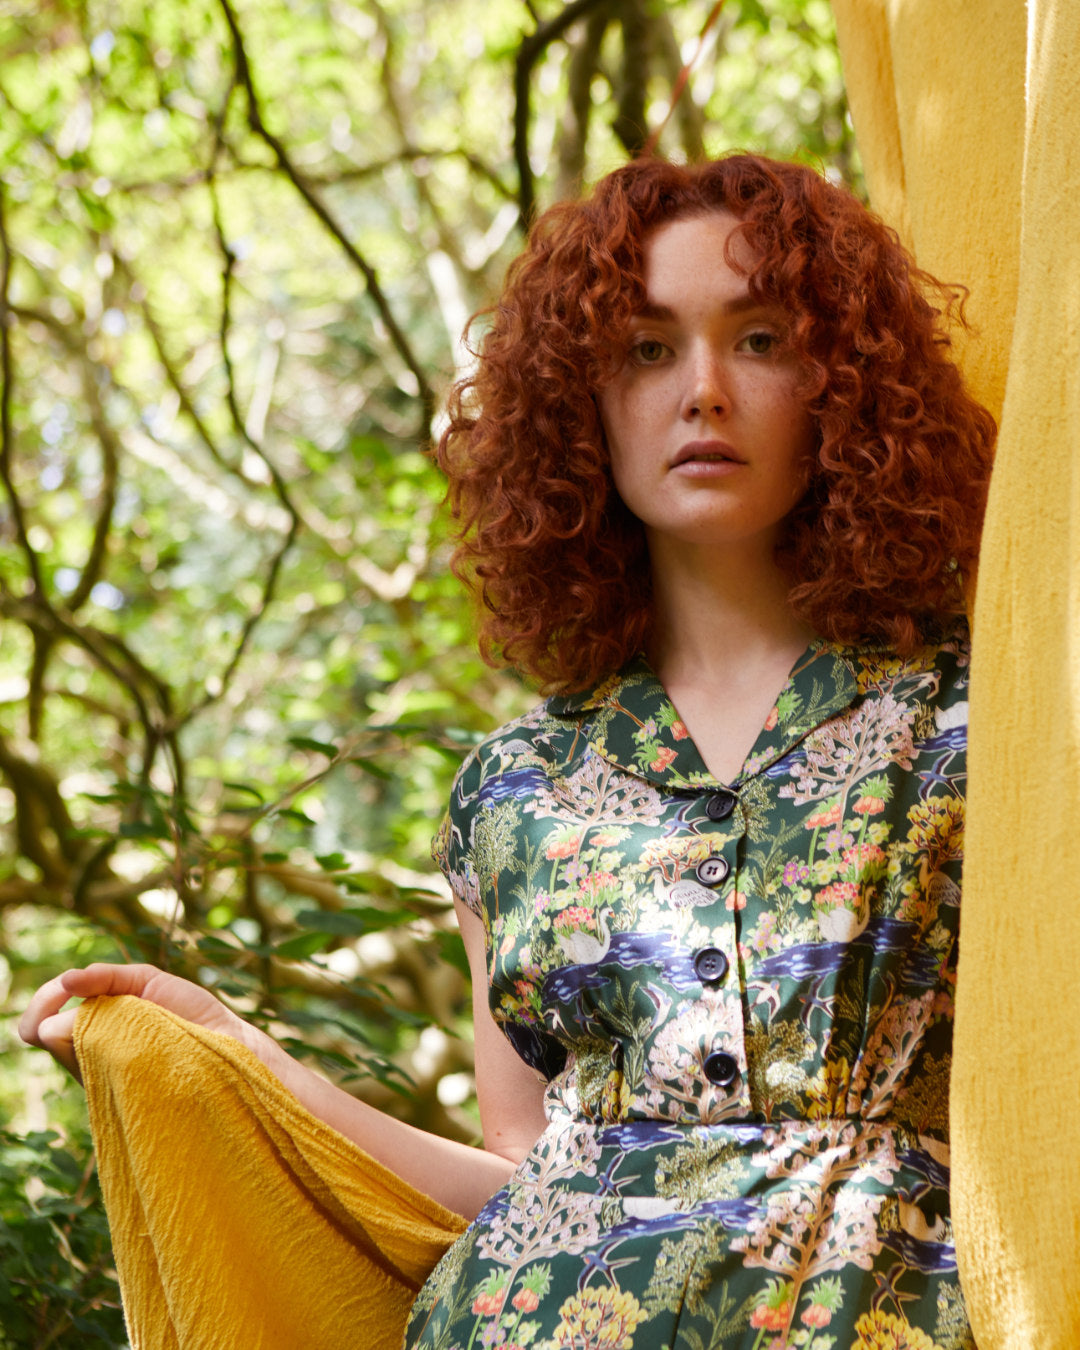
<point>707,433</point>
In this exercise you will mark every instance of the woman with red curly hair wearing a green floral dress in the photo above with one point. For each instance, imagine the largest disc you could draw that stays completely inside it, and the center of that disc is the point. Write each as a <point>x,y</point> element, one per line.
<point>719,485</point>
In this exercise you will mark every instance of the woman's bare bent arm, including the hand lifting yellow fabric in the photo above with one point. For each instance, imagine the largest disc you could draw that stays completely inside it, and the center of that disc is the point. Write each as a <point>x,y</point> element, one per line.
<point>458,1177</point>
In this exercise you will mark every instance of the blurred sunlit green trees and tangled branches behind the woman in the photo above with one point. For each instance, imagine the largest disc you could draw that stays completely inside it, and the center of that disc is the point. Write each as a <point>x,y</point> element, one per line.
<point>238,248</point>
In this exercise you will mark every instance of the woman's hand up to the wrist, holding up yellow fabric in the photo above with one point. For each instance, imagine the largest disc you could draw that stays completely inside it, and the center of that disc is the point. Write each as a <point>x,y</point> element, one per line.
<point>49,1025</point>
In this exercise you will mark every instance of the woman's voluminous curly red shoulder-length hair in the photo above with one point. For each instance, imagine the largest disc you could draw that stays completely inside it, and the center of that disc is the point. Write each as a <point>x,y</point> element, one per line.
<point>889,527</point>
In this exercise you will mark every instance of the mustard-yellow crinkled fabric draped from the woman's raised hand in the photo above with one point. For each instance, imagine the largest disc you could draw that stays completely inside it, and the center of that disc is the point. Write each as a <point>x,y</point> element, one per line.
<point>240,1221</point>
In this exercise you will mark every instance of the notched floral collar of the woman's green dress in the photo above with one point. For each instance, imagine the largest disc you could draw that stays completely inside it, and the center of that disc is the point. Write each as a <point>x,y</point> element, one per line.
<point>635,726</point>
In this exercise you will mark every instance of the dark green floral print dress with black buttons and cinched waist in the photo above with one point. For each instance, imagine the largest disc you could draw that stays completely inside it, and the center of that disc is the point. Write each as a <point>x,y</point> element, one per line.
<point>742,997</point>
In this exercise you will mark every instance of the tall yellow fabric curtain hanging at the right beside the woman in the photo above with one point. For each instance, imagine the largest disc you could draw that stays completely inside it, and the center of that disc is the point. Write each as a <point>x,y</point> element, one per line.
<point>969,118</point>
